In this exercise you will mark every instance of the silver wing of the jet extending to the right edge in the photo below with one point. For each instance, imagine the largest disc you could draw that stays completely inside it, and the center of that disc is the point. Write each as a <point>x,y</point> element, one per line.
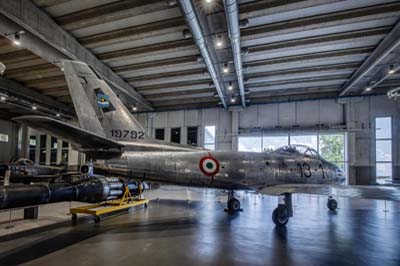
<point>365,192</point>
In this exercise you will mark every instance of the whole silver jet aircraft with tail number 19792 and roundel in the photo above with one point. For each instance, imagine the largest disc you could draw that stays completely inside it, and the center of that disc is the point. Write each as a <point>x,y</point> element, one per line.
<point>109,131</point>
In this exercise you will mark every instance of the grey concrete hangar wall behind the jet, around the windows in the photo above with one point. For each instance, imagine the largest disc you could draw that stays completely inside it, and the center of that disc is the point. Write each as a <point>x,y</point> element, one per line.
<point>356,115</point>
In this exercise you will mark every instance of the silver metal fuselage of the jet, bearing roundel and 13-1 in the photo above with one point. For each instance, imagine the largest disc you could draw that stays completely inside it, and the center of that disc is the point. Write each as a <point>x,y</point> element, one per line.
<point>237,170</point>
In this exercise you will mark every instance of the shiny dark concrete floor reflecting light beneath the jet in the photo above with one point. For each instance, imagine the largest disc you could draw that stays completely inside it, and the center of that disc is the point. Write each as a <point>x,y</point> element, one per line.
<point>174,231</point>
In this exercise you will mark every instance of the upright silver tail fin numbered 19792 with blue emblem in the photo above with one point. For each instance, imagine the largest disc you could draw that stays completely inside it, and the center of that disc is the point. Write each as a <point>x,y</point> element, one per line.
<point>98,108</point>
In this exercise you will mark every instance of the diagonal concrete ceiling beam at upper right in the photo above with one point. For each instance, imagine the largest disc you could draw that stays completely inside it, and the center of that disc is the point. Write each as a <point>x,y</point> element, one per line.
<point>385,47</point>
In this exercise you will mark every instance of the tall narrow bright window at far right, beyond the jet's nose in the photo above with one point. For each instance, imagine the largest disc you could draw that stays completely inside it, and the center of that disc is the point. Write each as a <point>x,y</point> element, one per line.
<point>383,149</point>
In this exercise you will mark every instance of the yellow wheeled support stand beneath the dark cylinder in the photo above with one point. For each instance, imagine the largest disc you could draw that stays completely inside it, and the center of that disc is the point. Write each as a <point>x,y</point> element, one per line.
<point>127,201</point>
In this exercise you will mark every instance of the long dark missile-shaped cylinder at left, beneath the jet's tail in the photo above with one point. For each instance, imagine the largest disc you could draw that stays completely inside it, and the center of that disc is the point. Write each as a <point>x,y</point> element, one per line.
<point>92,190</point>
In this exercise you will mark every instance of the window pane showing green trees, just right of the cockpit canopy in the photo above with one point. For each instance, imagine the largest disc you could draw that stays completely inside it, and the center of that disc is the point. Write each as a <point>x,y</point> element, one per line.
<point>331,147</point>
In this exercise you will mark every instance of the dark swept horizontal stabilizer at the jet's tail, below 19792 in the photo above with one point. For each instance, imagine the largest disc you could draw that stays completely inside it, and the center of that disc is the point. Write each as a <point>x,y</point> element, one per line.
<point>82,140</point>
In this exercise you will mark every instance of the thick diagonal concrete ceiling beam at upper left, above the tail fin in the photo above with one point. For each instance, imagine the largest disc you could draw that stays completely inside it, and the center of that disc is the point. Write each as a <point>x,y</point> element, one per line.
<point>48,40</point>
